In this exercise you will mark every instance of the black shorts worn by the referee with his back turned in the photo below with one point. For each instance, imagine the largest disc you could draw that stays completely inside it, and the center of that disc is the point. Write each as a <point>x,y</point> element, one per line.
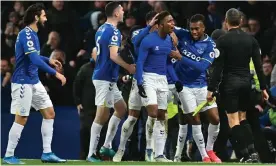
<point>235,94</point>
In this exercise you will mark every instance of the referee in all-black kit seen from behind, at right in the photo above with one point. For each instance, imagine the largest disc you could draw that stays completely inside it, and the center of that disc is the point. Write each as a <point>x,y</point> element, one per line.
<point>236,48</point>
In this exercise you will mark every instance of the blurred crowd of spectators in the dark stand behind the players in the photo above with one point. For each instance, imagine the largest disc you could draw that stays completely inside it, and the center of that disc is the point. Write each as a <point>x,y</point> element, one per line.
<point>69,34</point>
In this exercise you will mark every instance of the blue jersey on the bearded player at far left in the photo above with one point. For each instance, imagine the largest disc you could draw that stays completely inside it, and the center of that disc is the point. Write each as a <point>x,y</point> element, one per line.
<point>25,71</point>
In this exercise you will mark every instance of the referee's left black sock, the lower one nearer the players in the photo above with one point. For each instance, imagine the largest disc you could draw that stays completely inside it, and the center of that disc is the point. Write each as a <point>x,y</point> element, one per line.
<point>238,135</point>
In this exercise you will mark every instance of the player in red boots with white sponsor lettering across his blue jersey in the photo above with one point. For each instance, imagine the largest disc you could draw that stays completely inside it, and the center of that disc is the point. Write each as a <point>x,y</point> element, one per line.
<point>198,52</point>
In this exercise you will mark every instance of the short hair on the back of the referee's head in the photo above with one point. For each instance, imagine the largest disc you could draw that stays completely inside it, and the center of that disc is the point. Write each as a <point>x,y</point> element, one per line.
<point>233,17</point>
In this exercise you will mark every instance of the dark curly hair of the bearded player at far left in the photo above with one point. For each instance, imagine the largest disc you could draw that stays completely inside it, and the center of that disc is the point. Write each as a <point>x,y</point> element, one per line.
<point>31,12</point>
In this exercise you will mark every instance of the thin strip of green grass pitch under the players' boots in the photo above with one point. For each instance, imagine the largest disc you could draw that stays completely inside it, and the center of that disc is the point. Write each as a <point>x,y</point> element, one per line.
<point>134,163</point>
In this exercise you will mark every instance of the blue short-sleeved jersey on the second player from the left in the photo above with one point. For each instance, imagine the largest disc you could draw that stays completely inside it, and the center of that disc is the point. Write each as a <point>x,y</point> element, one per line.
<point>105,69</point>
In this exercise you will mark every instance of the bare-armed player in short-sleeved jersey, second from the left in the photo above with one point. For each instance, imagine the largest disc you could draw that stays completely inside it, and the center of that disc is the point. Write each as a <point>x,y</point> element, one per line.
<point>108,41</point>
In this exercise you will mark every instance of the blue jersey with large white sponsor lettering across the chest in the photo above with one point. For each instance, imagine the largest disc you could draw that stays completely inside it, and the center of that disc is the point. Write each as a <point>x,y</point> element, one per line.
<point>201,51</point>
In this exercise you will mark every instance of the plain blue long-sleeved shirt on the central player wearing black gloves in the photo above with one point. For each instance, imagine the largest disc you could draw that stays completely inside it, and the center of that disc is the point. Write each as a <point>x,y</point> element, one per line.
<point>153,54</point>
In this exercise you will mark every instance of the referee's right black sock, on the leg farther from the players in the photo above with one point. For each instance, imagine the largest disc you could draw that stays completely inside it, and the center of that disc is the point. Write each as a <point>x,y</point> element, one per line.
<point>249,136</point>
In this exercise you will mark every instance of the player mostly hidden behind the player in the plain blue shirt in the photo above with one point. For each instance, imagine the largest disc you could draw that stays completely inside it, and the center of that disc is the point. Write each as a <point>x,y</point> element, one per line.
<point>135,102</point>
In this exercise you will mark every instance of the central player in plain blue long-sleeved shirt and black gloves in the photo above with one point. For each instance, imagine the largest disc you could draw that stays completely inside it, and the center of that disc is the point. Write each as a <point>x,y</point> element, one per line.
<point>151,77</point>
